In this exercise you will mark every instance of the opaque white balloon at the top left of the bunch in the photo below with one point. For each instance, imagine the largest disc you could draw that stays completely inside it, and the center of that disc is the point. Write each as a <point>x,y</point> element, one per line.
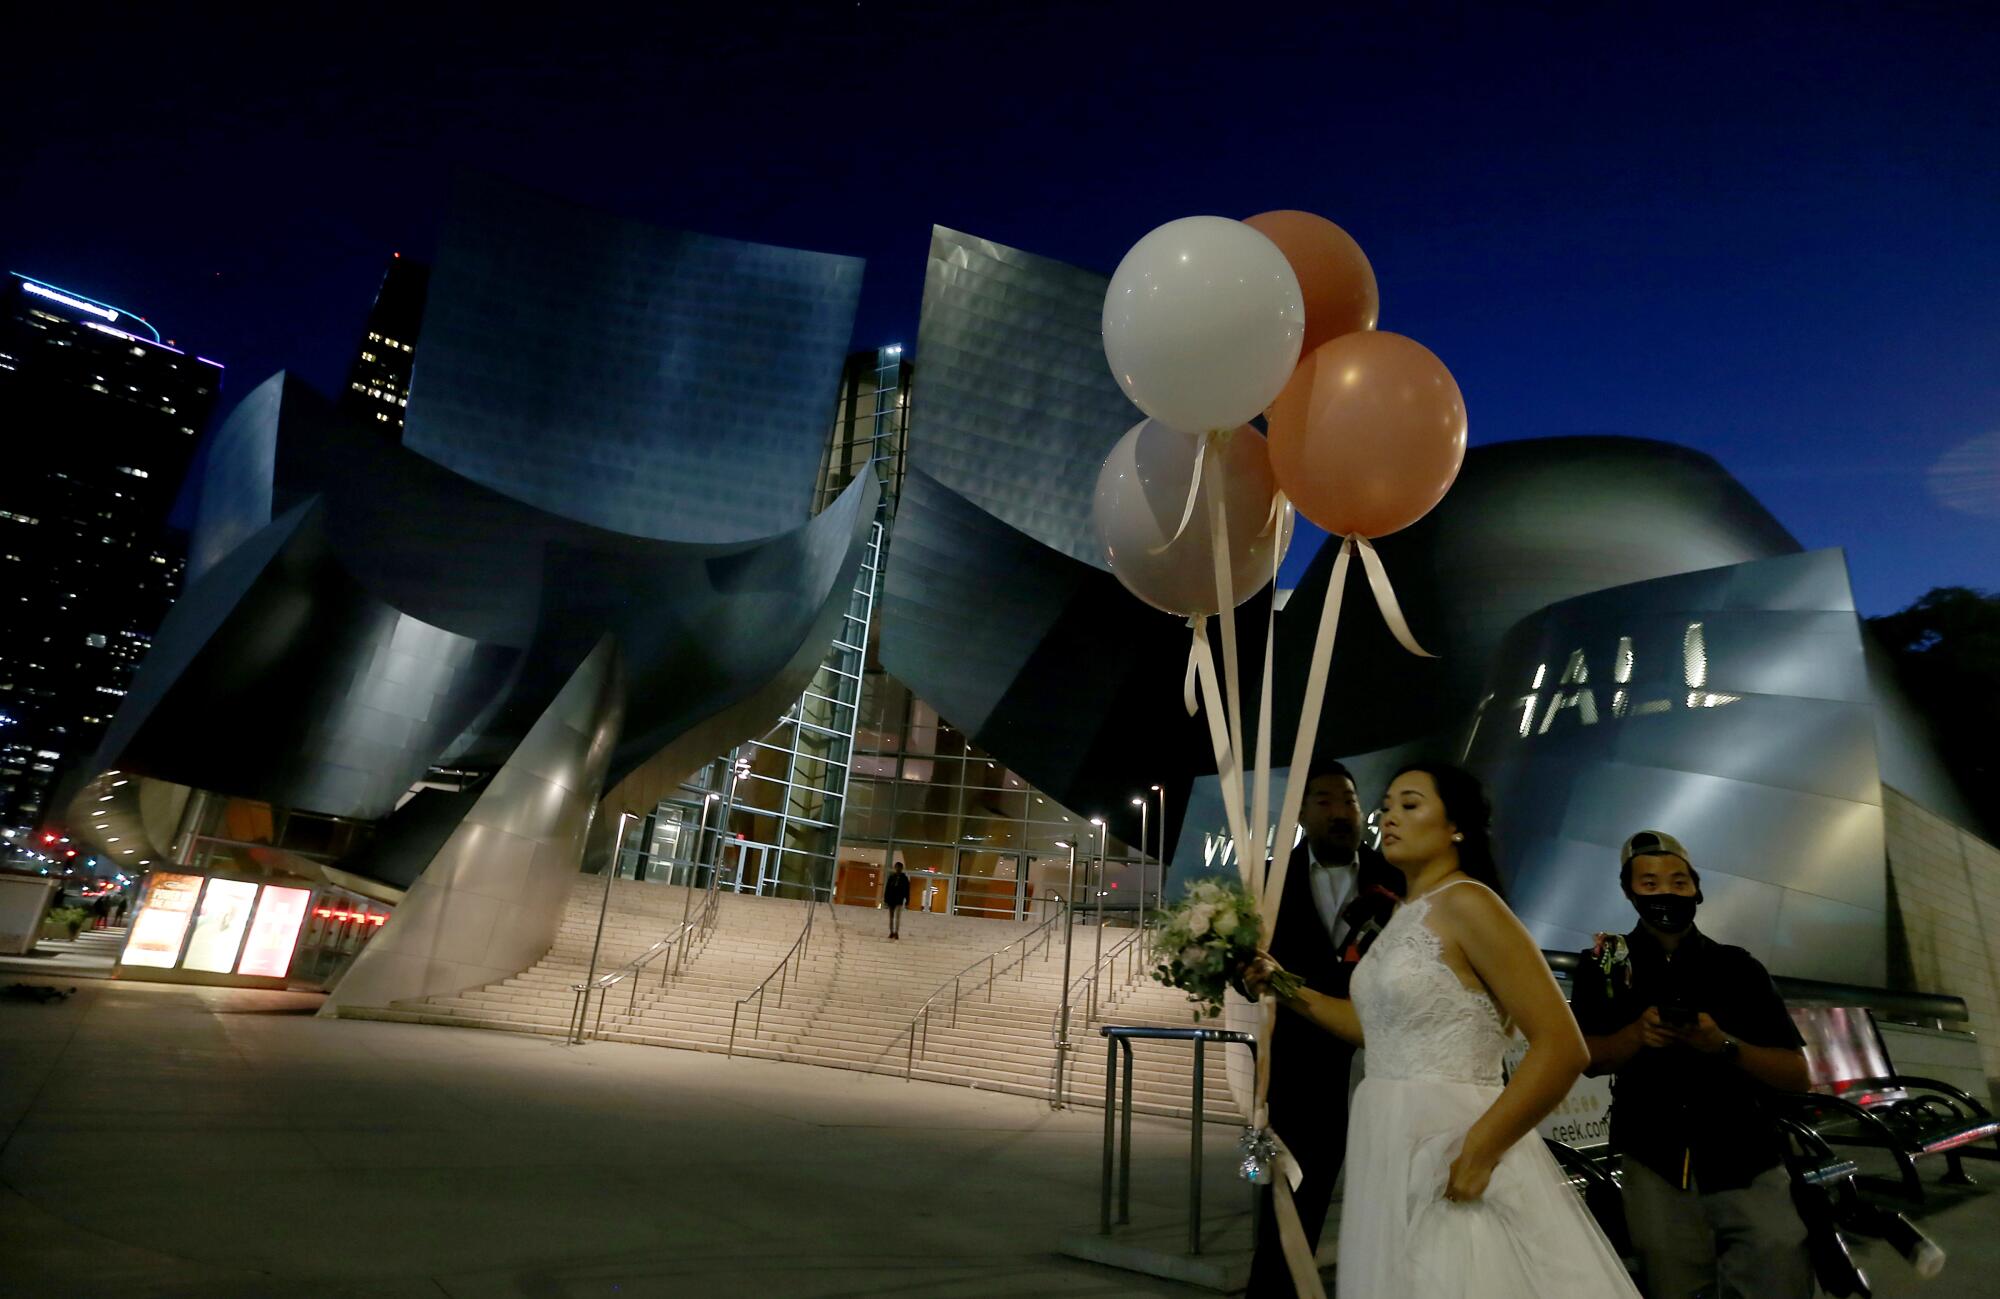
<point>1203,323</point>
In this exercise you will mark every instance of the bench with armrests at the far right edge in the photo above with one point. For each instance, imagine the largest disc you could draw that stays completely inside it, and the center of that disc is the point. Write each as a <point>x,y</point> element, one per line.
<point>1859,1100</point>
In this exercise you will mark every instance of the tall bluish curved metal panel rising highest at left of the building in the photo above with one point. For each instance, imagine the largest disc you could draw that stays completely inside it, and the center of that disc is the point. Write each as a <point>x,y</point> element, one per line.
<point>653,383</point>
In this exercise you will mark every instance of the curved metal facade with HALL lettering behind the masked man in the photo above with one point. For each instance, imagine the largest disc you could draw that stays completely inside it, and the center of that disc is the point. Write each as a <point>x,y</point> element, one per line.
<point>1731,708</point>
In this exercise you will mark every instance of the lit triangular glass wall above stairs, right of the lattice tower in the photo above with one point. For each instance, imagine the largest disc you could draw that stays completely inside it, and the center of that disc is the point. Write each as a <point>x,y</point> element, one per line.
<point>975,836</point>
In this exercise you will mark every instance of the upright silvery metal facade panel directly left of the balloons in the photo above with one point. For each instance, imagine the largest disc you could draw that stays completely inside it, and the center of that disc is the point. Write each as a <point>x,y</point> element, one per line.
<point>1013,399</point>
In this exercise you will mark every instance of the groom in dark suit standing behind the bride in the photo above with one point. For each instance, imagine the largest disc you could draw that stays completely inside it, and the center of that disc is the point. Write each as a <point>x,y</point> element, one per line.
<point>1337,898</point>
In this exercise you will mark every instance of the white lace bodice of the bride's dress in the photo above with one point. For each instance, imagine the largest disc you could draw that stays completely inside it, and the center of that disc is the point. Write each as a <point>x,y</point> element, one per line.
<point>1417,1018</point>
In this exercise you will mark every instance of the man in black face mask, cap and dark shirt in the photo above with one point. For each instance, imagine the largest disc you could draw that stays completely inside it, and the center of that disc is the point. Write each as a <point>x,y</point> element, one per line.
<point>1697,1040</point>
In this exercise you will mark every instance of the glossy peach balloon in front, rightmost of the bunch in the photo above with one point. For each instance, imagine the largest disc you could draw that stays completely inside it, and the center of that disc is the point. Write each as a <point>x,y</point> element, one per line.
<point>1369,435</point>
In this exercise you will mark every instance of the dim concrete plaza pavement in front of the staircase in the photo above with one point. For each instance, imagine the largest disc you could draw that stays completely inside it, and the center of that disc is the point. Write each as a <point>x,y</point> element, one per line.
<point>181,1142</point>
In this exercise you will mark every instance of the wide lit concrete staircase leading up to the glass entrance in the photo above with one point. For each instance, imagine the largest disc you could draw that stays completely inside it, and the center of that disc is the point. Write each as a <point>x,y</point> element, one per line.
<point>849,1002</point>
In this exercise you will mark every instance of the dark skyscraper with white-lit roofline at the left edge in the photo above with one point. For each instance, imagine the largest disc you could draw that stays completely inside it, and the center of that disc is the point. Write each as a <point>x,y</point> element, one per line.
<point>103,419</point>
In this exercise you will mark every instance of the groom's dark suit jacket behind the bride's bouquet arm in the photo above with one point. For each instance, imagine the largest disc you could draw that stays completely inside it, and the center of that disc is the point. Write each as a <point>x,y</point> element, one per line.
<point>1309,1084</point>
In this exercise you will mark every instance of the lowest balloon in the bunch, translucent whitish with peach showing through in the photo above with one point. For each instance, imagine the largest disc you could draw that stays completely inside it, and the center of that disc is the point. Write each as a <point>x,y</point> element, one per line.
<point>1143,493</point>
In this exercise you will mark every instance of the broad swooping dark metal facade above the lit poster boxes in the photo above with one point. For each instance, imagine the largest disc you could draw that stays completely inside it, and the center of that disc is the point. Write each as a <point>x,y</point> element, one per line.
<point>399,617</point>
